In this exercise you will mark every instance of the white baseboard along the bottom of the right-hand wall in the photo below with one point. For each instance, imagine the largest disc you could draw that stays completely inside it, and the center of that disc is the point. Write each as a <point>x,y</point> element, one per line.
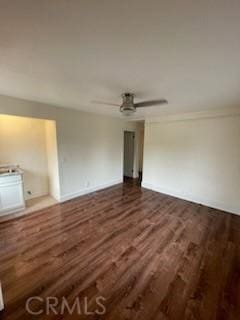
<point>190,197</point>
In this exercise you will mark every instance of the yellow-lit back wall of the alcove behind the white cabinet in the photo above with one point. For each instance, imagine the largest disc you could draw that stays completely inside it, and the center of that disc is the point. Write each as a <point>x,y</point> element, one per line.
<point>22,142</point>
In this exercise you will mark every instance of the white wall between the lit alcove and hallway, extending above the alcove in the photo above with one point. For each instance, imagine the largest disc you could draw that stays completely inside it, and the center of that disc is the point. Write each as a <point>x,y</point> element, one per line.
<point>90,146</point>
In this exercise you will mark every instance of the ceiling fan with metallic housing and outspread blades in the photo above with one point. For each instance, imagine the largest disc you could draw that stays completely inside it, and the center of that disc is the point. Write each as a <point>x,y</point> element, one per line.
<point>128,106</point>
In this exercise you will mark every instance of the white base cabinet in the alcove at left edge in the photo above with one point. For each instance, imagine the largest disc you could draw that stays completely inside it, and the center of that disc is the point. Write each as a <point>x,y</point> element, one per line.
<point>11,194</point>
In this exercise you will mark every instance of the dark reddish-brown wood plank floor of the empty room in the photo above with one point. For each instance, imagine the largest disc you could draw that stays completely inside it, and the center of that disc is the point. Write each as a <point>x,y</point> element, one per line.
<point>151,256</point>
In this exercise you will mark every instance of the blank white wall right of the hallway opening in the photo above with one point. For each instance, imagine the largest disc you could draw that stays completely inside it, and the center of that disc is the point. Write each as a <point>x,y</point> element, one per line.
<point>198,160</point>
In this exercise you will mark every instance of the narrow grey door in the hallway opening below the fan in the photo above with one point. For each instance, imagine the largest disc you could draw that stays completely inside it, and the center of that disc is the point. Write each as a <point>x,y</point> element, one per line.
<point>129,141</point>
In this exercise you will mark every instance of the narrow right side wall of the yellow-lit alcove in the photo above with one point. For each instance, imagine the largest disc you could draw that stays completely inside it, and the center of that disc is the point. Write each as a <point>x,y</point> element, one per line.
<point>52,158</point>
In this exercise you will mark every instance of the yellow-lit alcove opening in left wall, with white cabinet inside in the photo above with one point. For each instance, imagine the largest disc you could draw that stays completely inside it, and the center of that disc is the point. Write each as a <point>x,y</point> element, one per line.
<point>29,144</point>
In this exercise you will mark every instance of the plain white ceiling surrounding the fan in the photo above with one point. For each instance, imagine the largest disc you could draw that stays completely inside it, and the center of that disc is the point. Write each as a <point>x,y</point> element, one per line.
<point>69,52</point>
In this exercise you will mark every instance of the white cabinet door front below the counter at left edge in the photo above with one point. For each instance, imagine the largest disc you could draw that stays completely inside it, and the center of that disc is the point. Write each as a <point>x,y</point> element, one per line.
<point>11,196</point>
